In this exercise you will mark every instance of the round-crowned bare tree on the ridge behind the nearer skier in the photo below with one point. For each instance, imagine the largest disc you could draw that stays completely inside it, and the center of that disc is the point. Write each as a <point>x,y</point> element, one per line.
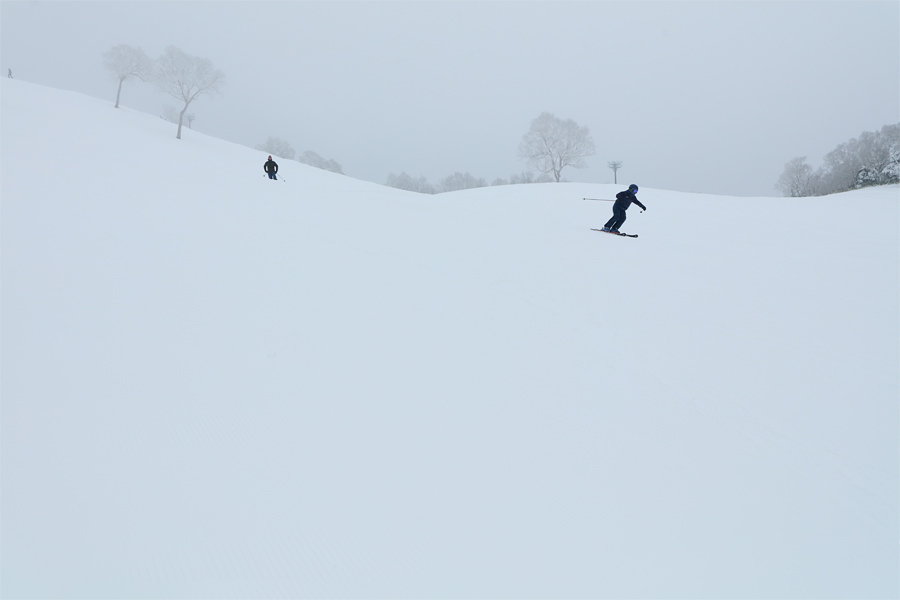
<point>553,144</point>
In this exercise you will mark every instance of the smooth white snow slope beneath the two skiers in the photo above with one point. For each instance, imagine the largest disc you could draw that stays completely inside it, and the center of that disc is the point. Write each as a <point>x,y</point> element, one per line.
<point>217,385</point>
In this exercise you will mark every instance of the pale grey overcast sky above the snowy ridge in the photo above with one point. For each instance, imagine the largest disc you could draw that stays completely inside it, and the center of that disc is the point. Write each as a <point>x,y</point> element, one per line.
<point>709,96</point>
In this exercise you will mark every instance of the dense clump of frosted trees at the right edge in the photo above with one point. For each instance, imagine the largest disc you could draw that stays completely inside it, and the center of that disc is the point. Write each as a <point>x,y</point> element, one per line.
<point>871,159</point>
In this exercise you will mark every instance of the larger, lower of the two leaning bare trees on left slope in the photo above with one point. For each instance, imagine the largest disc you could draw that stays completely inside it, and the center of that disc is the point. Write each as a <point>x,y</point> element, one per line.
<point>186,77</point>
